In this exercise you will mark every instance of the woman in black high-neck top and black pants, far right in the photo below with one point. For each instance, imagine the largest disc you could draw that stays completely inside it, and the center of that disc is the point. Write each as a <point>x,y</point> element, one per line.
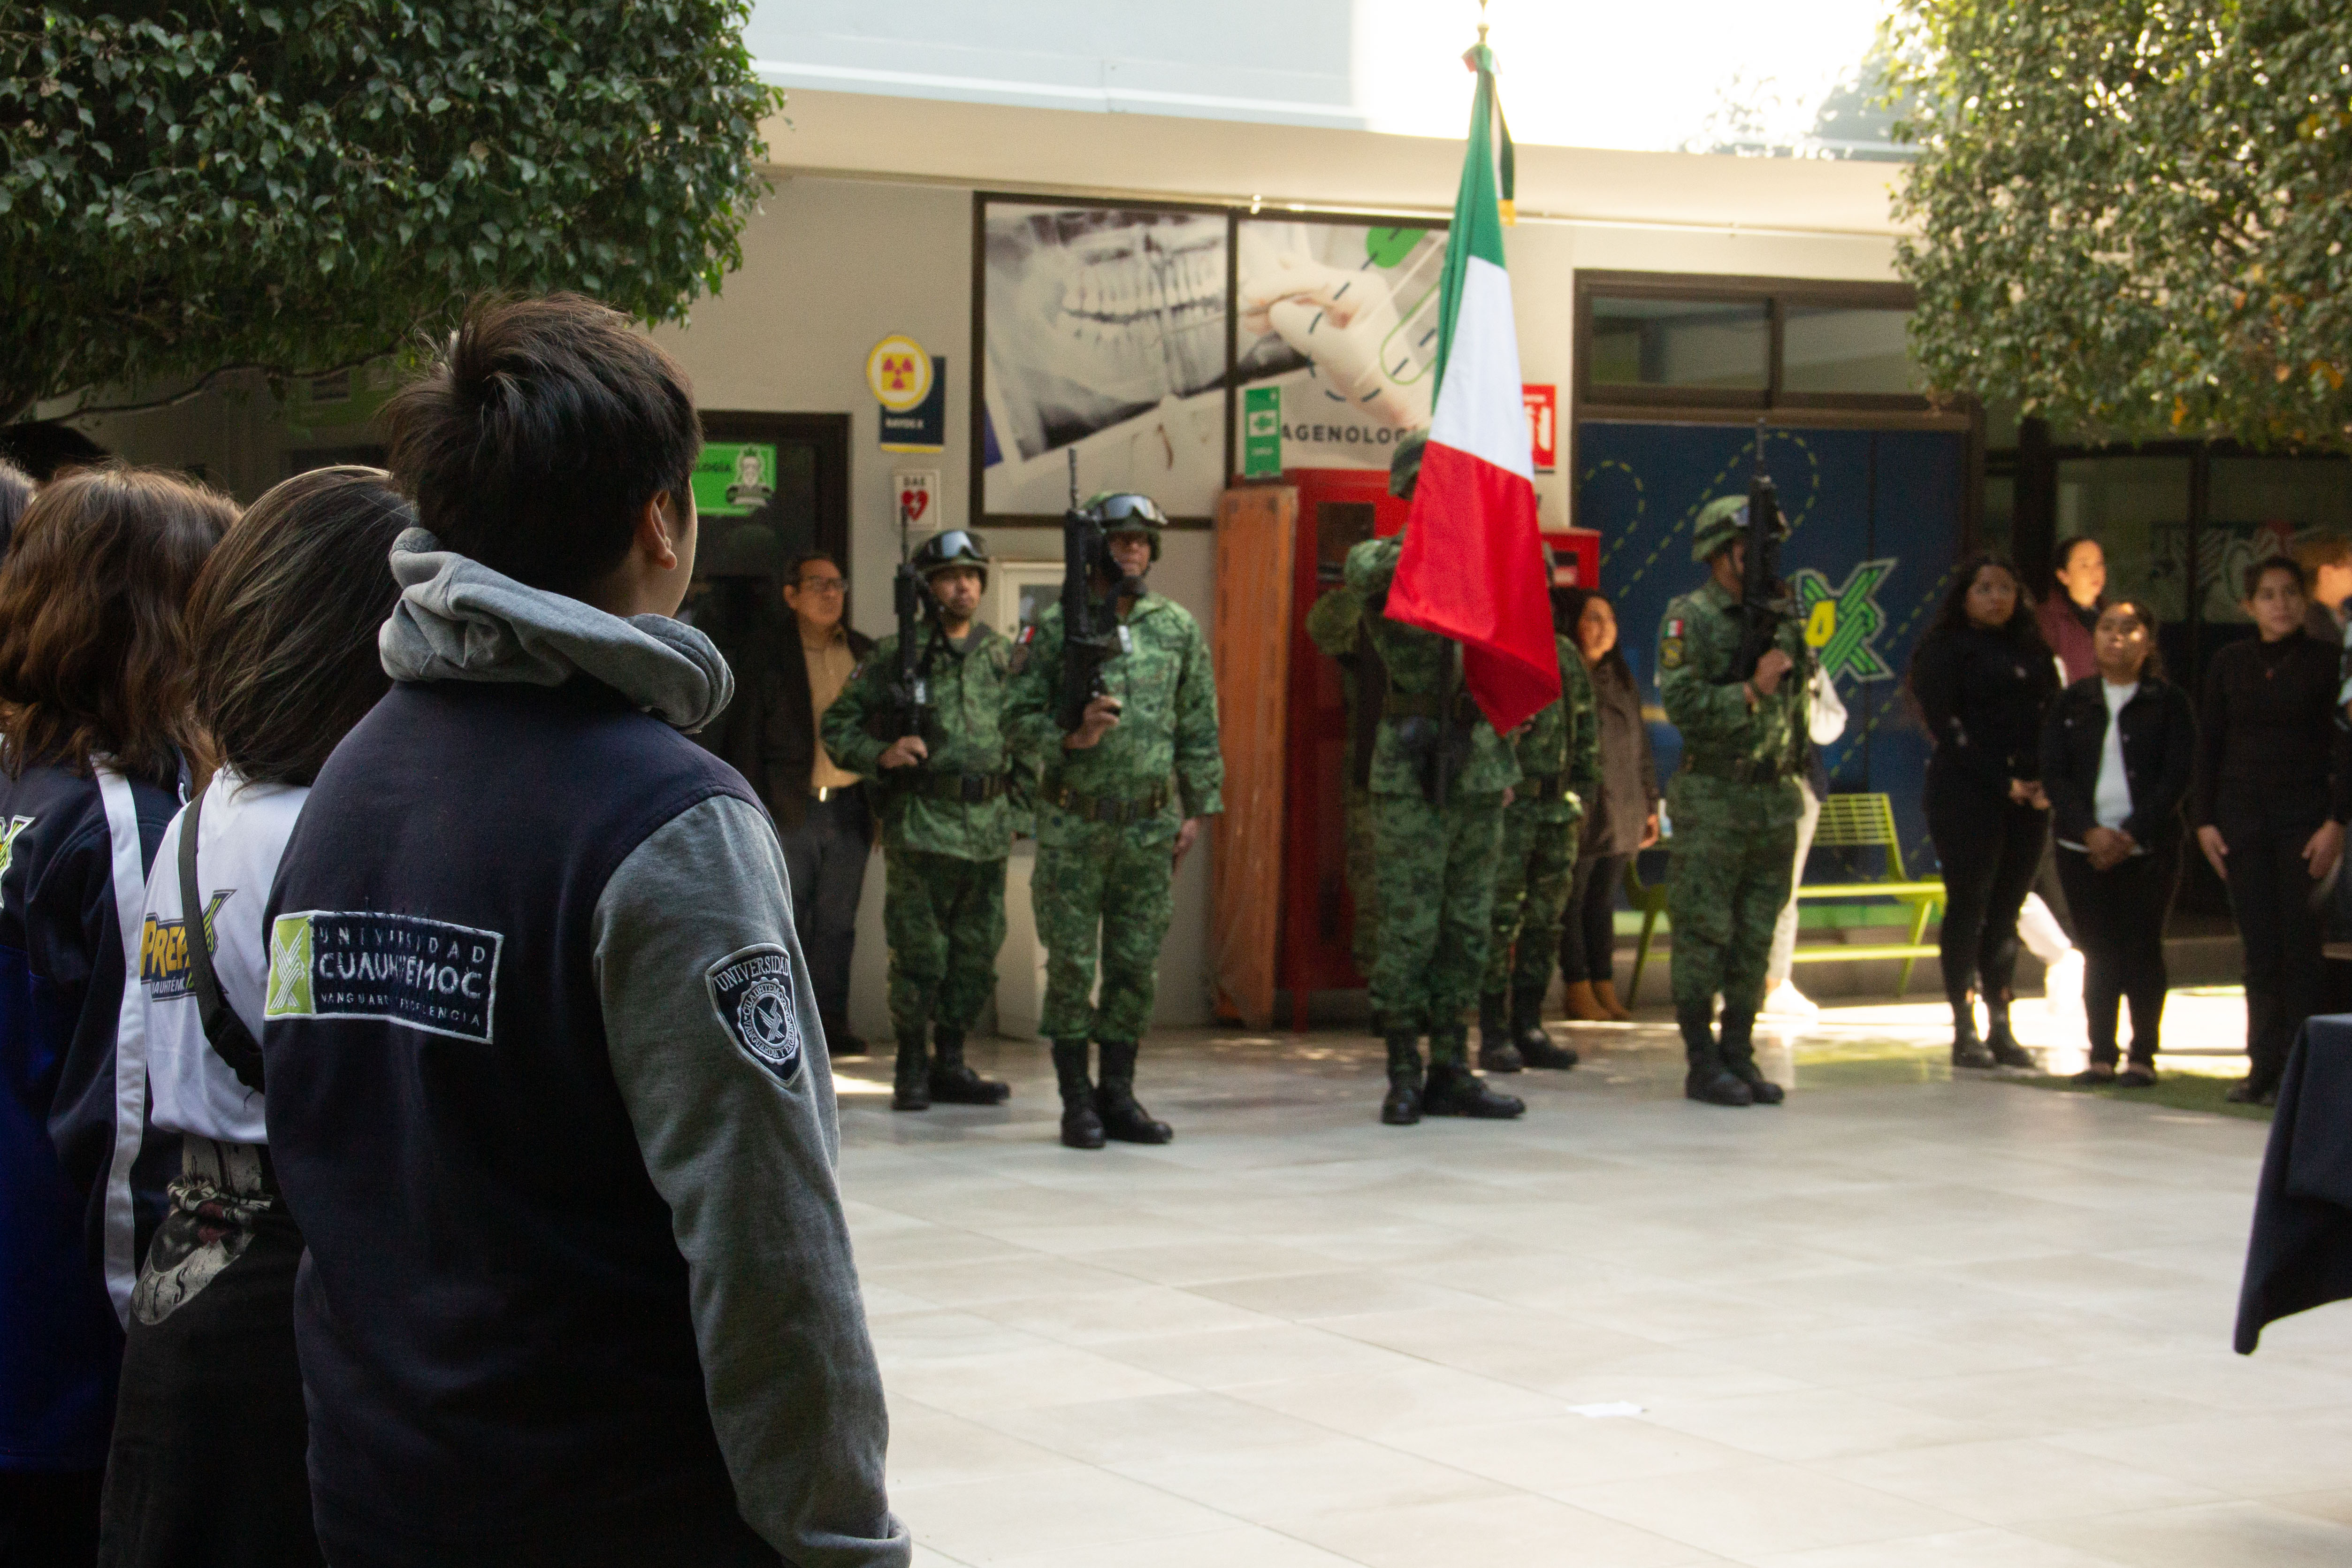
<point>2273,796</point>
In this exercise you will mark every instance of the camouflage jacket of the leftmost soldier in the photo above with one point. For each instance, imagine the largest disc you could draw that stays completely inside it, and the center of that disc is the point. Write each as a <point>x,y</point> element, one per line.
<point>968,737</point>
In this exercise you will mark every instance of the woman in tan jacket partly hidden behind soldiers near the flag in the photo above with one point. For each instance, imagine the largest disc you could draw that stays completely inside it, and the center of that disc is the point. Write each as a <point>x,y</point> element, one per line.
<point>1619,822</point>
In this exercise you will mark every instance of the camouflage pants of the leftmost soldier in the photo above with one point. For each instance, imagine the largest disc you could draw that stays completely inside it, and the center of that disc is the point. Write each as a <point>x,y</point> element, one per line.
<point>944,923</point>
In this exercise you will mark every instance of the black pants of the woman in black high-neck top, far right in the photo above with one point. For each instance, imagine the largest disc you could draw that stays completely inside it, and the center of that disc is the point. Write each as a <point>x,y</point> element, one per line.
<point>2271,894</point>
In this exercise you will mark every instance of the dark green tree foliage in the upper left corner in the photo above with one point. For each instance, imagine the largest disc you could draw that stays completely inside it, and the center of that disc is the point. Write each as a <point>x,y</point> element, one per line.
<point>192,187</point>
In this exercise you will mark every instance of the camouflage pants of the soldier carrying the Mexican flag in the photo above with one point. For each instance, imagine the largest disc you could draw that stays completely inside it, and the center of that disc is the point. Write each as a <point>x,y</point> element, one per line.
<point>1436,899</point>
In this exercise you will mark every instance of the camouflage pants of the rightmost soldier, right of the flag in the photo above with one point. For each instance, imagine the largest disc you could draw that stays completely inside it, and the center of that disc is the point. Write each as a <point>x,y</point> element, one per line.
<point>1735,859</point>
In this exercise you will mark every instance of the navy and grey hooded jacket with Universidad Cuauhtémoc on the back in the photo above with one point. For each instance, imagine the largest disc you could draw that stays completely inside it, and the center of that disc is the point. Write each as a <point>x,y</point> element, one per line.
<point>549,1099</point>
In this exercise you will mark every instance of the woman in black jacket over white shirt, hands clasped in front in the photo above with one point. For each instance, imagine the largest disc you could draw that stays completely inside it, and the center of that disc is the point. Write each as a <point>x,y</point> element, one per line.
<point>2118,753</point>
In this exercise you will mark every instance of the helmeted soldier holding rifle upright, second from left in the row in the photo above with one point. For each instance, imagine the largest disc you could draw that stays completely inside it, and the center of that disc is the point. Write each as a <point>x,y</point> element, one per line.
<point>1121,803</point>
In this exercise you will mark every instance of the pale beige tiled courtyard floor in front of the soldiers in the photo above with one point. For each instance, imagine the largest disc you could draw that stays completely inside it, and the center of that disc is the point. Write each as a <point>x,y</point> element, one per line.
<point>1895,1322</point>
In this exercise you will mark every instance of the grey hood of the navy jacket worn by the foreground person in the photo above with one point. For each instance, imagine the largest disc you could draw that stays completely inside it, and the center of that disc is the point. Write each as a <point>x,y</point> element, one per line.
<point>457,619</point>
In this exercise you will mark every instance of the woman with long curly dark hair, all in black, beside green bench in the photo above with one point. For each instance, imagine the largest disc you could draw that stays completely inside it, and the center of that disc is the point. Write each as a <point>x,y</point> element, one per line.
<point>1982,678</point>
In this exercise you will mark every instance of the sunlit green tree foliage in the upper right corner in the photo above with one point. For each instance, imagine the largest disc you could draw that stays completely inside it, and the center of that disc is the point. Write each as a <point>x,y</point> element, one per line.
<point>2134,215</point>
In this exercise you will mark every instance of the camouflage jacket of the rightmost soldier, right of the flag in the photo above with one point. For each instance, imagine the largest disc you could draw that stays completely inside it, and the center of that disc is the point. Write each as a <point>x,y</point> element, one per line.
<point>1720,735</point>
